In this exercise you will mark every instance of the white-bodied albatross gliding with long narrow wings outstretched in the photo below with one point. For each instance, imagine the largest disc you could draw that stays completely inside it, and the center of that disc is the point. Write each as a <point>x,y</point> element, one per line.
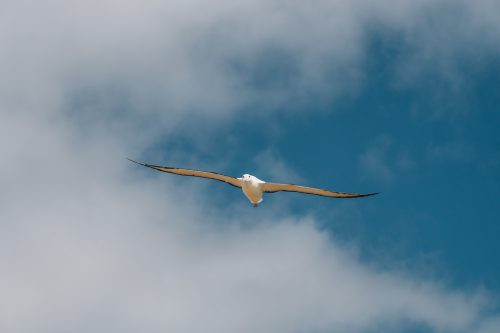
<point>253,188</point>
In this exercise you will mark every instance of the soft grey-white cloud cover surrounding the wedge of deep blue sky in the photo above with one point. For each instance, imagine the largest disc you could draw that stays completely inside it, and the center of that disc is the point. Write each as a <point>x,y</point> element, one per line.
<point>88,244</point>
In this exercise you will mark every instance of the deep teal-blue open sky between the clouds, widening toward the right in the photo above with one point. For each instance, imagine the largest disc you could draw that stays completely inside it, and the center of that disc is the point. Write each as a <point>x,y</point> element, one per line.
<point>429,145</point>
